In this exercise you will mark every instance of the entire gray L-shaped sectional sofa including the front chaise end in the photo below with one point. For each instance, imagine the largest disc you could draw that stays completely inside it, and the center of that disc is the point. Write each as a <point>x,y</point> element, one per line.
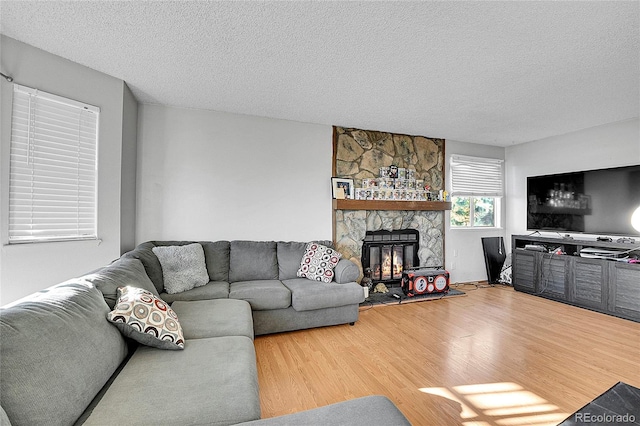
<point>62,362</point>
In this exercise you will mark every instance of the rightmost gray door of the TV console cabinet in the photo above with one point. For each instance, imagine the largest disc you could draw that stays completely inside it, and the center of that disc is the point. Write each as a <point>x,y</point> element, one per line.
<point>624,290</point>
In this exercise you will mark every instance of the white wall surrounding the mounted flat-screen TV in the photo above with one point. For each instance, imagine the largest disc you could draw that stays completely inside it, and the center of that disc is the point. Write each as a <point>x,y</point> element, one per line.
<point>611,145</point>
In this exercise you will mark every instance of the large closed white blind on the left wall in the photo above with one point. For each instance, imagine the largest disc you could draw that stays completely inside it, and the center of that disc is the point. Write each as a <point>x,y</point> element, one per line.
<point>53,168</point>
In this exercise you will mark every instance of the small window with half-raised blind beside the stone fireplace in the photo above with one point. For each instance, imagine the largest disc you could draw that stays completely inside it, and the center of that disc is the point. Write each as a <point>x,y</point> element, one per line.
<point>475,192</point>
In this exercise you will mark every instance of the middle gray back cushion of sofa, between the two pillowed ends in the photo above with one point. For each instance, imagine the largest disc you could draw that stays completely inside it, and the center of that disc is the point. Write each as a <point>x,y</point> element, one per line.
<point>253,260</point>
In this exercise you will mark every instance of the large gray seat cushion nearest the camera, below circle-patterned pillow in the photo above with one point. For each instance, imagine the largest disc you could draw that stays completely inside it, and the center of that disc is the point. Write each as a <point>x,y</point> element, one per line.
<point>213,381</point>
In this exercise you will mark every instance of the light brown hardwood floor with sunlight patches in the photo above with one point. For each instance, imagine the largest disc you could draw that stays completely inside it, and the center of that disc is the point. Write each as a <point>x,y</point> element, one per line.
<point>492,357</point>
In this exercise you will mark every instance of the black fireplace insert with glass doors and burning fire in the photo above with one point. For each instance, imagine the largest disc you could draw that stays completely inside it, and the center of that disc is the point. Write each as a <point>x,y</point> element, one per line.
<point>388,253</point>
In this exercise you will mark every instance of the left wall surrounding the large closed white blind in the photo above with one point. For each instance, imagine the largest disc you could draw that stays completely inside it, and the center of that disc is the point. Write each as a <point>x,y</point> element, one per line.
<point>26,268</point>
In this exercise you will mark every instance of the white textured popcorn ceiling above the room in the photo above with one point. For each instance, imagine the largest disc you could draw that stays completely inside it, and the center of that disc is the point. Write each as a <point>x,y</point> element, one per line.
<point>488,72</point>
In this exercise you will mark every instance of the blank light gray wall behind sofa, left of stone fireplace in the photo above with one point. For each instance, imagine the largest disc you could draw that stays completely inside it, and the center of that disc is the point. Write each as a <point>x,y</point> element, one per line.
<point>206,175</point>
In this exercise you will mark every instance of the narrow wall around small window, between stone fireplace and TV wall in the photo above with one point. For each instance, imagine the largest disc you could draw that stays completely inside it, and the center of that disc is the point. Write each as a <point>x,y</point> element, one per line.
<point>464,257</point>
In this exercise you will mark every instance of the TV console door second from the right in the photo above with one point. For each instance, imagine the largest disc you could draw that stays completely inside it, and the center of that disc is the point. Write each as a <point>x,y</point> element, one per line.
<point>589,283</point>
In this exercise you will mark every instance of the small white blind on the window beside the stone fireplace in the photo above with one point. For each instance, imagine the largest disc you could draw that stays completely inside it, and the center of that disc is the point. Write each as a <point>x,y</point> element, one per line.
<point>475,176</point>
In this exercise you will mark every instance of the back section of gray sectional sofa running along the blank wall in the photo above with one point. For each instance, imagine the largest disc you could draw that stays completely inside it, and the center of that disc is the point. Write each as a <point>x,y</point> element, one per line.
<point>264,273</point>
